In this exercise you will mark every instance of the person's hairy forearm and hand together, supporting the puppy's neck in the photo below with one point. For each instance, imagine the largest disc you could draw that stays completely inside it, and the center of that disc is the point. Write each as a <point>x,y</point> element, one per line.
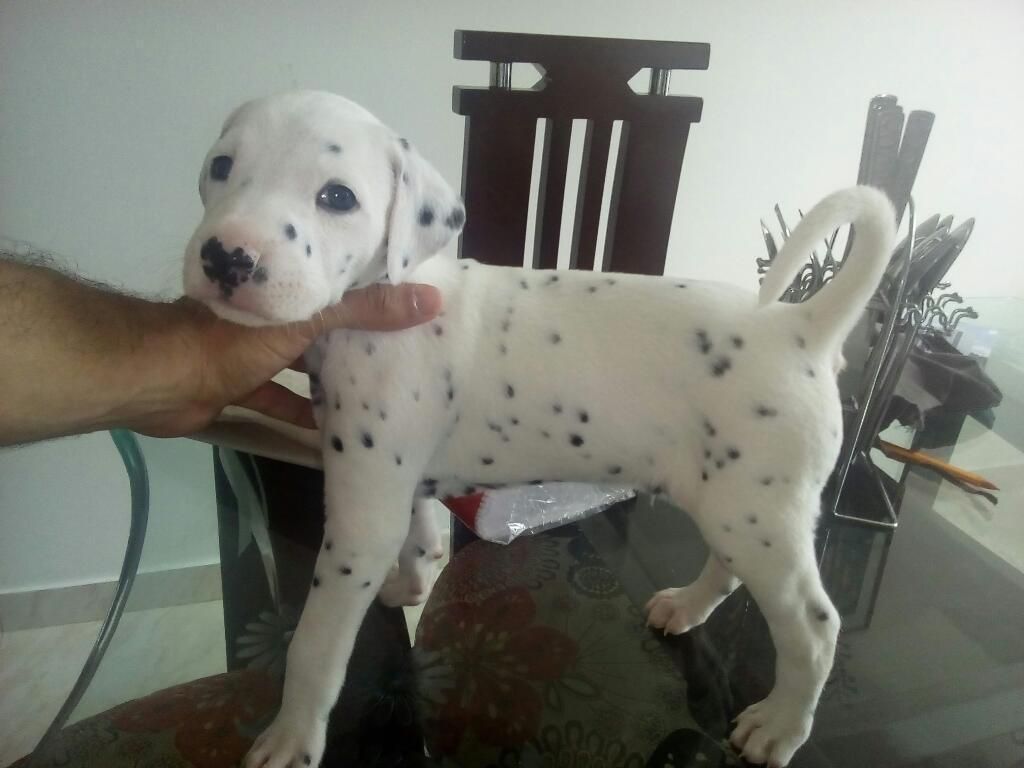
<point>77,358</point>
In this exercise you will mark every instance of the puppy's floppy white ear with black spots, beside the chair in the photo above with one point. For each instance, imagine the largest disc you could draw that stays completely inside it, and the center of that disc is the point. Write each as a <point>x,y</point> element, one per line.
<point>426,214</point>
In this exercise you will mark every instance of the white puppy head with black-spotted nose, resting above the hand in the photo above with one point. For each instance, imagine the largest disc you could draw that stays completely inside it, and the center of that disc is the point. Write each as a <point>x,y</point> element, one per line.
<point>308,195</point>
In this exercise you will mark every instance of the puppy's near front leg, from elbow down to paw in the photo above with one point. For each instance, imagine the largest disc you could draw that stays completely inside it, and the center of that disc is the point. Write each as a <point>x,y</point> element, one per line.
<point>368,517</point>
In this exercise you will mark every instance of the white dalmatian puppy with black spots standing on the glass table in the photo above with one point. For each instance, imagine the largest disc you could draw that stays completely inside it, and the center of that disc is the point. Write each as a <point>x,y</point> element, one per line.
<point>694,391</point>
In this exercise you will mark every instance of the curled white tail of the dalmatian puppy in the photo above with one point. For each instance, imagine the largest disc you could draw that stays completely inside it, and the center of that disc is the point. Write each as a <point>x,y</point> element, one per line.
<point>839,305</point>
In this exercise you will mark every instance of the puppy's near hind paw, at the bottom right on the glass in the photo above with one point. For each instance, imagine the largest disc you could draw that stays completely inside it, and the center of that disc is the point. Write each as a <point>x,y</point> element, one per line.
<point>772,732</point>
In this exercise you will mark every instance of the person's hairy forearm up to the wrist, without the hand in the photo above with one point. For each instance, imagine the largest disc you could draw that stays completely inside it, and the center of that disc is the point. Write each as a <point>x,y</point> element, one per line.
<point>76,358</point>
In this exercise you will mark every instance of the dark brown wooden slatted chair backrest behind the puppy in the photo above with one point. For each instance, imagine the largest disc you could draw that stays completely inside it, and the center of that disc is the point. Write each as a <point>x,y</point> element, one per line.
<point>583,79</point>
